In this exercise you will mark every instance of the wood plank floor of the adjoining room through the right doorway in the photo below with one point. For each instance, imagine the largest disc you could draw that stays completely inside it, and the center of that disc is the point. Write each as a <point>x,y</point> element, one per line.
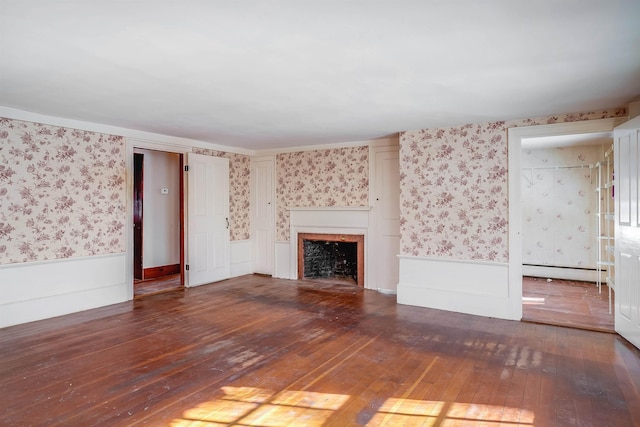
<point>570,303</point>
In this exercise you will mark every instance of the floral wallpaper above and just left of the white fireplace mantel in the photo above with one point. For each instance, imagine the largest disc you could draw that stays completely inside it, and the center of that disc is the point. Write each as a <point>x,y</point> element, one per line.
<point>320,178</point>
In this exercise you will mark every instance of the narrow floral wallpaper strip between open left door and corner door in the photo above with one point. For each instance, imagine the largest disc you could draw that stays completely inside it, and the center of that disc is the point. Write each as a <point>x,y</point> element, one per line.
<point>239,191</point>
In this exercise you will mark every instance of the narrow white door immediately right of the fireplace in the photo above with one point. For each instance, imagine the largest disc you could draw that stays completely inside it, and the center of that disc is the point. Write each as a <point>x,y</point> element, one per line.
<point>386,218</point>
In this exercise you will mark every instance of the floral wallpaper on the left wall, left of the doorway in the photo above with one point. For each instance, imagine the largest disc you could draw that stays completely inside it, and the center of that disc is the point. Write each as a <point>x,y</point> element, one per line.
<point>62,192</point>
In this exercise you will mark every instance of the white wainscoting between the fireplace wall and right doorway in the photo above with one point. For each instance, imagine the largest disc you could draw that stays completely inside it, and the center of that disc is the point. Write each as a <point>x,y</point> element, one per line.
<point>479,288</point>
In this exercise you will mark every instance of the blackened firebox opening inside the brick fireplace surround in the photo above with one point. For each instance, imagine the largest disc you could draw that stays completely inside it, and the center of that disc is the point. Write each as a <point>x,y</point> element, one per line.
<point>324,259</point>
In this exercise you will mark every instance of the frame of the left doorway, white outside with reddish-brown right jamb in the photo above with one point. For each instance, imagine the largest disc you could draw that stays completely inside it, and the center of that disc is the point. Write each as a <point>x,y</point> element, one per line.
<point>133,143</point>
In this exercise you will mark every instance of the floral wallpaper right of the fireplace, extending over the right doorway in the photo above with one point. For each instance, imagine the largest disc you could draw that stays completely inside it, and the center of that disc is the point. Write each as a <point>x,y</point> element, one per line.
<point>453,188</point>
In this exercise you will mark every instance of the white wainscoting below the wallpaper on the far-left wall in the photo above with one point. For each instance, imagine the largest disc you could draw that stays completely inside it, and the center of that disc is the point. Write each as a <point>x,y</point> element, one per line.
<point>40,290</point>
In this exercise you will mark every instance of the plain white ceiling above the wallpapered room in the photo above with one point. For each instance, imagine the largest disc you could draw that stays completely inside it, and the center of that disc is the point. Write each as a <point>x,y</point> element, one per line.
<point>262,74</point>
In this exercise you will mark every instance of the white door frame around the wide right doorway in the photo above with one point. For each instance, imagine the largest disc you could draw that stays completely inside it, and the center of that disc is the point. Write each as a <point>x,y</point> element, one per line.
<point>515,136</point>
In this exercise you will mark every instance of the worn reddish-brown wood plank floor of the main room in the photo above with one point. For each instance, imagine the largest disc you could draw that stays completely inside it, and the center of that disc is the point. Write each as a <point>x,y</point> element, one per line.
<point>257,351</point>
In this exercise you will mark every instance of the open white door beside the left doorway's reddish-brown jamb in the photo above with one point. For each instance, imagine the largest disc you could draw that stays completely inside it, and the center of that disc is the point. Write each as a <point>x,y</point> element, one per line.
<point>208,233</point>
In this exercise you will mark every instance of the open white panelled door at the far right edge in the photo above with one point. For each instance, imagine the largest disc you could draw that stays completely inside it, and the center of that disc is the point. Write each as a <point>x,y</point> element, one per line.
<point>627,230</point>
